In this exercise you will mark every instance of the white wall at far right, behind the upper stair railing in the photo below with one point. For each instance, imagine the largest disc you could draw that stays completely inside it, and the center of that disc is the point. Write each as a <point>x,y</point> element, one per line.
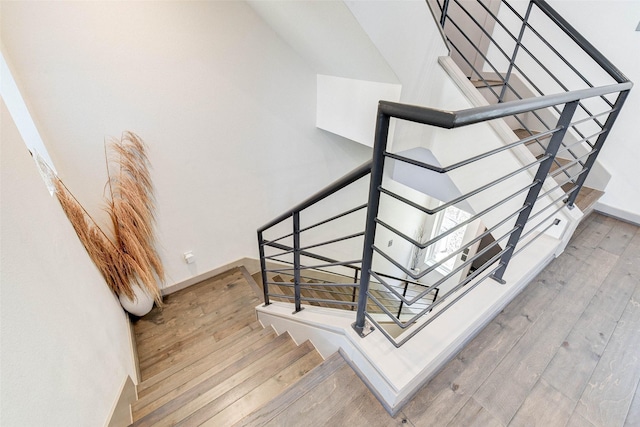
<point>610,27</point>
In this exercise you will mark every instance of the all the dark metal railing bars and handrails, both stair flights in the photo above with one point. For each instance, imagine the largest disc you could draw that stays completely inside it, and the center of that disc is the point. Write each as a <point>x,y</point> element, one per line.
<point>518,227</point>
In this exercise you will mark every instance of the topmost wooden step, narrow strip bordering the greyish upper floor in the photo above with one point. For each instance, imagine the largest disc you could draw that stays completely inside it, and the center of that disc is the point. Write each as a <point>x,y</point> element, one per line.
<point>279,404</point>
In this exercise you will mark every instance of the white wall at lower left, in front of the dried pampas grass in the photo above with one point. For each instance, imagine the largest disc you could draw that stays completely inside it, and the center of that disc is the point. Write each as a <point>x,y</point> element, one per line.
<point>65,339</point>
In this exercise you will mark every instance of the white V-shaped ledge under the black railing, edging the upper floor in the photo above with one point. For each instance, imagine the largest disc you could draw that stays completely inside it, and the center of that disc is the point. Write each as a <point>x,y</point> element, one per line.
<point>393,374</point>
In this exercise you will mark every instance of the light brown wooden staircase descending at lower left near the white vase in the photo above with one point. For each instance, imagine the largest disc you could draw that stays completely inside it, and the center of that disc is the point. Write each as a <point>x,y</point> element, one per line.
<point>205,360</point>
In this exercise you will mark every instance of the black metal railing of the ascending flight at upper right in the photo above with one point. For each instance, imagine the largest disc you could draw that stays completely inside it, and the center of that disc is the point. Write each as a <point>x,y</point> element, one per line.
<point>528,50</point>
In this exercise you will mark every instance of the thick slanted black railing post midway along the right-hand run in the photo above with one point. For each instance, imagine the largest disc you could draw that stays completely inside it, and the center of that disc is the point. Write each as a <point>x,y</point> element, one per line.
<point>543,170</point>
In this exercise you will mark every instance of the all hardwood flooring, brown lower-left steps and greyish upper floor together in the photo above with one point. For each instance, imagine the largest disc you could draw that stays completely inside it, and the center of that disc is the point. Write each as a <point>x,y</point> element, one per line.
<point>565,352</point>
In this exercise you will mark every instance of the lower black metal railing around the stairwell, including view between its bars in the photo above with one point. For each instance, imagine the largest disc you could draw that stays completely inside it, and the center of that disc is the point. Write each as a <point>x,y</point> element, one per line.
<point>388,243</point>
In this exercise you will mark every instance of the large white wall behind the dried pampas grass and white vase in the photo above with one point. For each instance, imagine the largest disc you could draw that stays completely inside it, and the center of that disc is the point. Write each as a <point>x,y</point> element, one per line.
<point>227,108</point>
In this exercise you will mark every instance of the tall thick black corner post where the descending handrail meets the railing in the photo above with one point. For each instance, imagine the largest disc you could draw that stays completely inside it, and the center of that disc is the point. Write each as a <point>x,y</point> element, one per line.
<point>377,169</point>
